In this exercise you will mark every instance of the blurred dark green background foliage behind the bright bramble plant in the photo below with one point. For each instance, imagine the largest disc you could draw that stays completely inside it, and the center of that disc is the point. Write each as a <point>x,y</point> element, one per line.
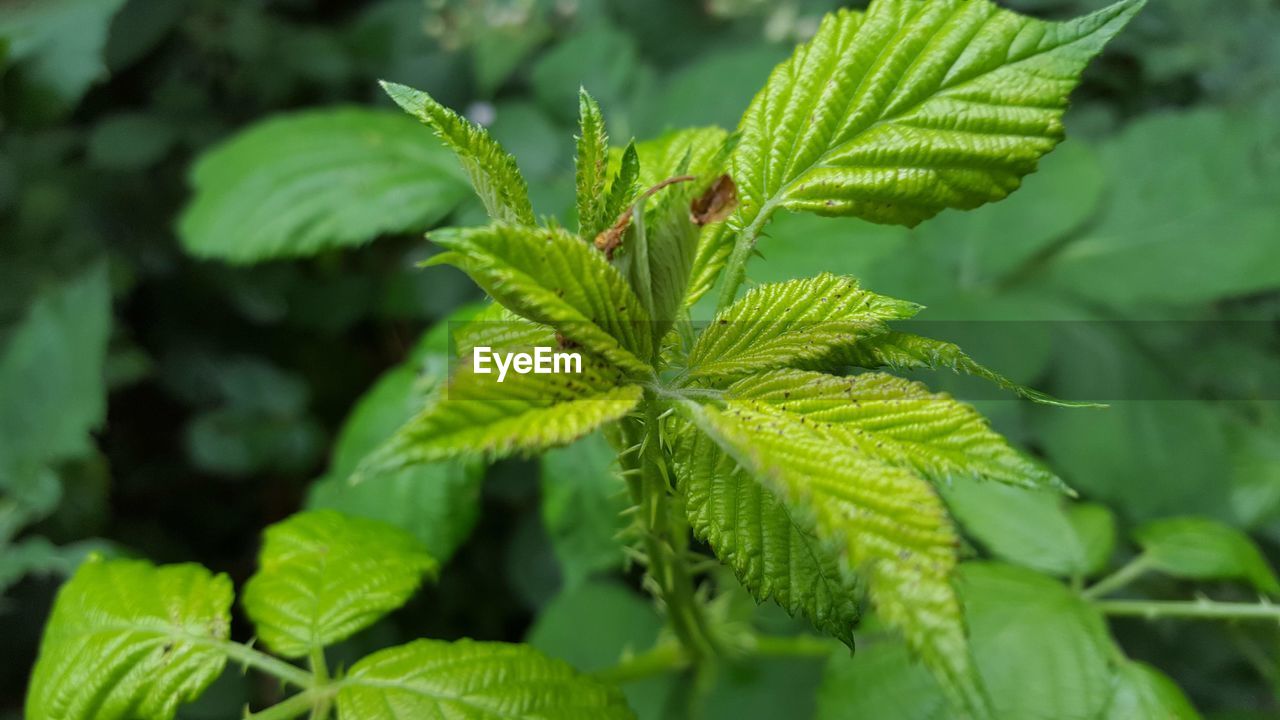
<point>198,335</point>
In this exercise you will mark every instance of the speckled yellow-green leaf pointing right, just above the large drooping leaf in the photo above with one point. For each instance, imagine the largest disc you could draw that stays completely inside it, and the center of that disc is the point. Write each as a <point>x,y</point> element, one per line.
<point>899,422</point>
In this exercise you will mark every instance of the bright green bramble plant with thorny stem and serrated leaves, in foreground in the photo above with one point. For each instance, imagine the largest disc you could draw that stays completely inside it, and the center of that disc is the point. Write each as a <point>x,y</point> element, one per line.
<point>772,434</point>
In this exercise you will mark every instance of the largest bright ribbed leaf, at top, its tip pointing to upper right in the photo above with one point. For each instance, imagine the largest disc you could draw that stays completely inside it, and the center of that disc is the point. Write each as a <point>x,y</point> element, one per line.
<point>911,108</point>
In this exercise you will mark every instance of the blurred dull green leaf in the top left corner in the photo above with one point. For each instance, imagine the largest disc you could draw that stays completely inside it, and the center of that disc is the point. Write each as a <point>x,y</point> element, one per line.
<point>60,43</point>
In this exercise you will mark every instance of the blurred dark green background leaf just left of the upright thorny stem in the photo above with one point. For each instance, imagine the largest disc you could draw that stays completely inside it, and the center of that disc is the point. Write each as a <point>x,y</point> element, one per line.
<point>583,503</point>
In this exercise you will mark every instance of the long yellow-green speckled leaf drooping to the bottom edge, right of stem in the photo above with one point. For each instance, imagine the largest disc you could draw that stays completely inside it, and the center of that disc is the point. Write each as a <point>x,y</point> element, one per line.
<point>888,525</point>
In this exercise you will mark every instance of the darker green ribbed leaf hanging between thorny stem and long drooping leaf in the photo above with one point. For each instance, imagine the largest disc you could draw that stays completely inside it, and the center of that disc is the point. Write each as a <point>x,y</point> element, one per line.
<point>774,550</point>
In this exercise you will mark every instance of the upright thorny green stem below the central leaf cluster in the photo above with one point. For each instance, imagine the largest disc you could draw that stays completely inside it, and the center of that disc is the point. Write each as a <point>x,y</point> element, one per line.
<point>666,535</point>
